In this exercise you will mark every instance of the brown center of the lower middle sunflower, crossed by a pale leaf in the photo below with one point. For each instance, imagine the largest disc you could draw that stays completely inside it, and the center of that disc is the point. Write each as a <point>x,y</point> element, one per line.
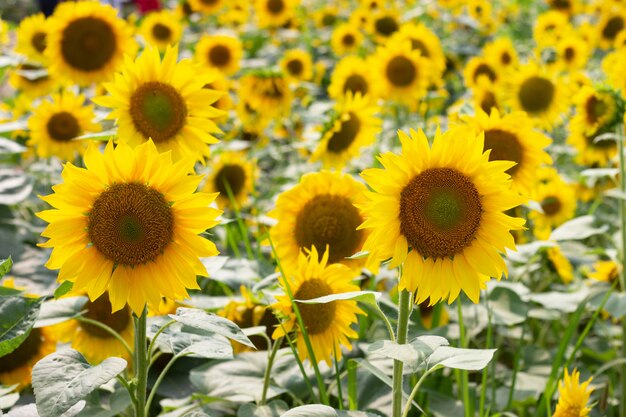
<point>317,318</point>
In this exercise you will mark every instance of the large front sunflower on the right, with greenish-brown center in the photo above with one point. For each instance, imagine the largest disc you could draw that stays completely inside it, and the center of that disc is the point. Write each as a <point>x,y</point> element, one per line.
<point>446,203</point>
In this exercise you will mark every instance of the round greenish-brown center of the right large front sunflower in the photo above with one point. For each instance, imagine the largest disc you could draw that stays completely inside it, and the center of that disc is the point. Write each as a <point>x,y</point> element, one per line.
<point>440,212</point>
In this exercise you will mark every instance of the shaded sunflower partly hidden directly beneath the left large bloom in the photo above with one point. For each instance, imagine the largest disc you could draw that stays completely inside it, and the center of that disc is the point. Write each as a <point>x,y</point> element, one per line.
<point>95,343</point>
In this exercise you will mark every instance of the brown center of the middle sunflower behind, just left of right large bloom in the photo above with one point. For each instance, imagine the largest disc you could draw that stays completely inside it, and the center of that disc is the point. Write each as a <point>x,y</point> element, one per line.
<point>329,220</point>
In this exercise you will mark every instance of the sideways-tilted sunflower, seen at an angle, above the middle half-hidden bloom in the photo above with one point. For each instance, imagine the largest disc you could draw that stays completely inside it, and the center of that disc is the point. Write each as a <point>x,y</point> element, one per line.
<point>353,126</point>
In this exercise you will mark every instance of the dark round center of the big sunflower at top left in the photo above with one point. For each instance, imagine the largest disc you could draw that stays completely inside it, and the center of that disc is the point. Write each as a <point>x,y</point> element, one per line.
<point>88,44</point>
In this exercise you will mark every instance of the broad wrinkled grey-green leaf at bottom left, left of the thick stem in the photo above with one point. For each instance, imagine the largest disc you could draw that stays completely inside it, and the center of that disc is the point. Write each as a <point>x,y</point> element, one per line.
<point>63,378</point>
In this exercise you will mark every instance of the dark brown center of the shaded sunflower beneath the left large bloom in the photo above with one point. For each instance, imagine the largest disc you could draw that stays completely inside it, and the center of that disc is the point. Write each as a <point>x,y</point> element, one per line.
<point>100,311</point>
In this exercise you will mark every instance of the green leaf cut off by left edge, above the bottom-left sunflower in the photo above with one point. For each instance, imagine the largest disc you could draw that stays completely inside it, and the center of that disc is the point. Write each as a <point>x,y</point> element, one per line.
<point>17,317</point>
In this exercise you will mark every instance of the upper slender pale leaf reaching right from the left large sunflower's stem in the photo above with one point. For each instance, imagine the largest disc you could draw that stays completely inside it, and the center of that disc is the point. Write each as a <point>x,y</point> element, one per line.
<point>208,323</point>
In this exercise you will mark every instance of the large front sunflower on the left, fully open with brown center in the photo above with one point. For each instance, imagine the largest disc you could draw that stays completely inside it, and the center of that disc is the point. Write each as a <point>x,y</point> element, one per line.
<point>124,219</point>
